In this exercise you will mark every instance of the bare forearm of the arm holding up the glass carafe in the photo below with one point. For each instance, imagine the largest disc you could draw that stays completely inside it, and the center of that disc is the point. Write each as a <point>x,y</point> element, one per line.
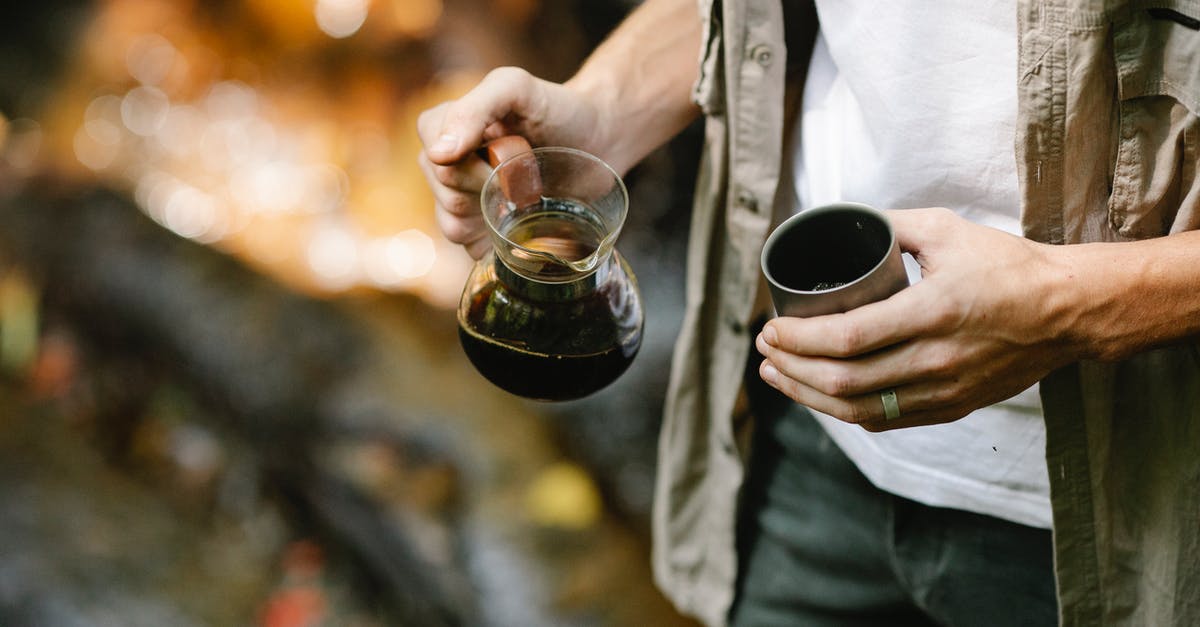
<point>641,80</point>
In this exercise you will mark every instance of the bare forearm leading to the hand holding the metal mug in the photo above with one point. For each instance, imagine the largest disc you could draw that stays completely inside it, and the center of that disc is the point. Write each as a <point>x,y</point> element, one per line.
<point>1130,297</point>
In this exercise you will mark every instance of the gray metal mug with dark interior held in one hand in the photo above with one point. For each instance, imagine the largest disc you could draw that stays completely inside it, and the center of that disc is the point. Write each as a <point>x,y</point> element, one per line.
<point>831,260</point>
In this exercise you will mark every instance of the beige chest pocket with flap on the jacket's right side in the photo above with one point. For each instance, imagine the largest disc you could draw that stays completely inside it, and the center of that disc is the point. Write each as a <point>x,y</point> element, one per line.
<point>1156,188</point>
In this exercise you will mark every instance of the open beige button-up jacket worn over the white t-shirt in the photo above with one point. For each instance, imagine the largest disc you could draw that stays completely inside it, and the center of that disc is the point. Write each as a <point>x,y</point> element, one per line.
<point>1108,150</point>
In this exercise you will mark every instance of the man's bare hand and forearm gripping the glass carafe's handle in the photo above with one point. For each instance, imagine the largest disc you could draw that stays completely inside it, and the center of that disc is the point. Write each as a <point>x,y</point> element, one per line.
<point>632,95</point>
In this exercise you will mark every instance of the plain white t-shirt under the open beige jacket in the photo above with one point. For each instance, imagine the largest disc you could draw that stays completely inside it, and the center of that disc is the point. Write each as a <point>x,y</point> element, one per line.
<point>913,104</point>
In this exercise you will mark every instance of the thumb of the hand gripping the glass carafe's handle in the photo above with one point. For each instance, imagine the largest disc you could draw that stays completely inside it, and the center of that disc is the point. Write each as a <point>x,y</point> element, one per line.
<point>501,95</point>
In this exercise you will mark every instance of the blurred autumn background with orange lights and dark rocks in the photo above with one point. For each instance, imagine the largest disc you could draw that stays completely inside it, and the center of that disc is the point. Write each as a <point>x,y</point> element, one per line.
<point>231,385</point>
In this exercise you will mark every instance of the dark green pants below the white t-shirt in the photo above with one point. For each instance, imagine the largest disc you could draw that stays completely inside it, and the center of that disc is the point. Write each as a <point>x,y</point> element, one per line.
<point>819,545</point>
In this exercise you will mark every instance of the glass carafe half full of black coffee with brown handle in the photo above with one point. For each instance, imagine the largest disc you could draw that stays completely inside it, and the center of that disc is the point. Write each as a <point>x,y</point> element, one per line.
<point>553,312</point>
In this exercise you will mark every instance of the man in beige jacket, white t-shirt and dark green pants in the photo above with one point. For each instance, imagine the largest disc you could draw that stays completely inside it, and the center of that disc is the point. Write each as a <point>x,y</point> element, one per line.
<point>1099,303</point>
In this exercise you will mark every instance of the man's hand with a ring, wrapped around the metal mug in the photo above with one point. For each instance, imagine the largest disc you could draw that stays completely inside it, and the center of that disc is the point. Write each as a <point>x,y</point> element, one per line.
<point>989,319</point>
